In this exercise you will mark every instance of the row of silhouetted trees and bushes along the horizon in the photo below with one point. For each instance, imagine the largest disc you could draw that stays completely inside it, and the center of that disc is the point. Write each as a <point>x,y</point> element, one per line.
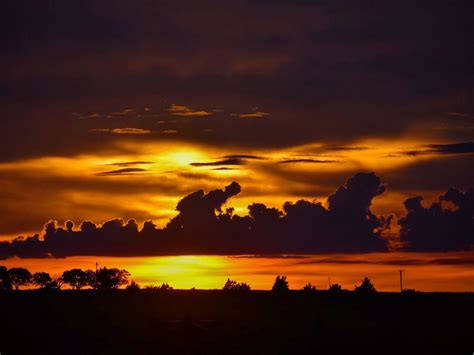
<point>113,278</point>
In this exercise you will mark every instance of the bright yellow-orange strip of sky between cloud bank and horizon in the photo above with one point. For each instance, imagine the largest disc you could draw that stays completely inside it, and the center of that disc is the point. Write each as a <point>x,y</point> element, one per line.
<point>211,272</point>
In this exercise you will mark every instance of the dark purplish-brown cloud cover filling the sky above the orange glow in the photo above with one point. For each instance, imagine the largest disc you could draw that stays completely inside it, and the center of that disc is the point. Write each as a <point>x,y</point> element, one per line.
<point>326,71</point>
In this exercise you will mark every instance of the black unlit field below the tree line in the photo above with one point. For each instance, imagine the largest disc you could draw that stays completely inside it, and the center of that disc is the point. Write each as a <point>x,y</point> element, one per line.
<point>212,322</point>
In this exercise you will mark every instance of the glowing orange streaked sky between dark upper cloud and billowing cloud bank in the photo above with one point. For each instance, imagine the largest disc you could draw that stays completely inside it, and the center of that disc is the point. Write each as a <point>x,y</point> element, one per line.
<point>95,186</point>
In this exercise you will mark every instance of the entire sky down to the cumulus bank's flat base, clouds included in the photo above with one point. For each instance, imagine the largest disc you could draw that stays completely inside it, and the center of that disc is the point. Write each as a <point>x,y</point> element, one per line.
<point>119,109</point>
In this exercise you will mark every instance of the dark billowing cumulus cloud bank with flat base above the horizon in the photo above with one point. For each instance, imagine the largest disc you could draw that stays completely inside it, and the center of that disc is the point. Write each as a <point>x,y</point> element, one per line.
<point>204,225</point>
